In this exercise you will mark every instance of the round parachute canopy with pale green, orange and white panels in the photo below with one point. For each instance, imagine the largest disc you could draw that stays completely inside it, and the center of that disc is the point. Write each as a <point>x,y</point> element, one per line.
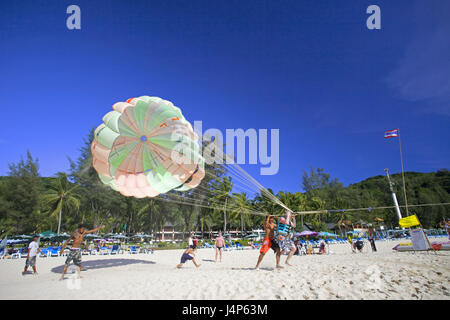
<point>145,147</point>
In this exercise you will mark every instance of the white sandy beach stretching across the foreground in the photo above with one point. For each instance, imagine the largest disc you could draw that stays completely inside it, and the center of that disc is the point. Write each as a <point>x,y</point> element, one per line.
<point>385,274</point>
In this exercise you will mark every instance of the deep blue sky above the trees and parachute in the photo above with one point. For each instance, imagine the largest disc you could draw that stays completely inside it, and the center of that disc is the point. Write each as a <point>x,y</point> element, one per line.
<point>309,68</point>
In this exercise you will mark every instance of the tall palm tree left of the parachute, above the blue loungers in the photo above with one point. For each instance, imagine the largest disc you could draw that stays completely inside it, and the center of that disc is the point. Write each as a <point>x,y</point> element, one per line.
<point>60,194</point>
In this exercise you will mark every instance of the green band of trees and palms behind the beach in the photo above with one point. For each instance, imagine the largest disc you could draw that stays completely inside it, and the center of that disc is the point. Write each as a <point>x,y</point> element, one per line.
<point>30,203</point>
